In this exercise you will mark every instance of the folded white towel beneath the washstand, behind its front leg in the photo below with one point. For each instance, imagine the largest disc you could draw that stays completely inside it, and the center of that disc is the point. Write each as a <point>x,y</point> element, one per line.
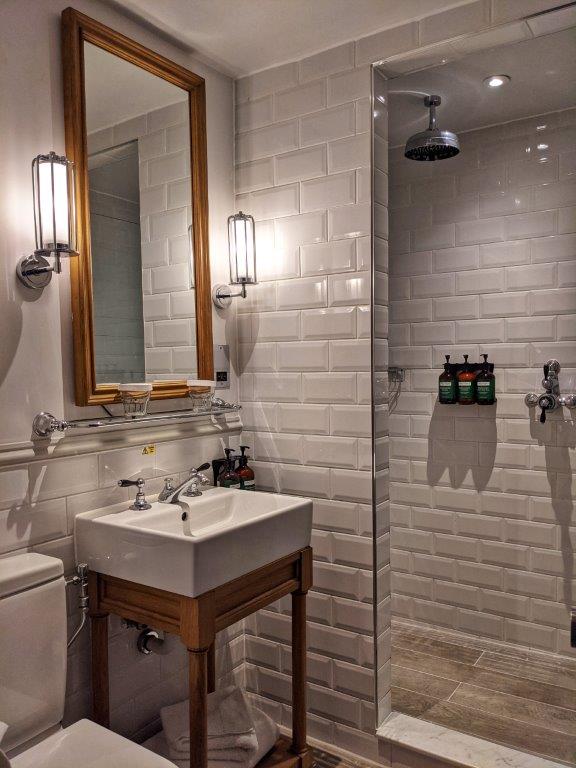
<point>230,724</point>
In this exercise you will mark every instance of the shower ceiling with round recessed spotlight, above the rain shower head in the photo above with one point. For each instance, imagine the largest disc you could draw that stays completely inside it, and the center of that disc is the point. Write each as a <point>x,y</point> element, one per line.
<point>542,72</point>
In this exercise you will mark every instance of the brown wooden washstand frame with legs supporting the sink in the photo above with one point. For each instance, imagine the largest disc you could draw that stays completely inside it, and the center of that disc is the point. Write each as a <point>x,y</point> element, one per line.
<point>196,620</point>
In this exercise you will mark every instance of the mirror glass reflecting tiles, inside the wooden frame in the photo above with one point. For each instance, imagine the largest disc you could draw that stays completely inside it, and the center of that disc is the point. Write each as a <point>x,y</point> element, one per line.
<point>138,142</point>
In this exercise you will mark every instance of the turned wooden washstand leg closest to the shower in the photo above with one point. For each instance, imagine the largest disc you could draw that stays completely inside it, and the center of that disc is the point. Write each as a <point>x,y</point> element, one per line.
<point>299,650</point>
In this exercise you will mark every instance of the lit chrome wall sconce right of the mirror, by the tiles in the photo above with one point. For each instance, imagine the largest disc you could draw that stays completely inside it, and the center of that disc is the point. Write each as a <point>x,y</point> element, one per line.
<point>242,253</point>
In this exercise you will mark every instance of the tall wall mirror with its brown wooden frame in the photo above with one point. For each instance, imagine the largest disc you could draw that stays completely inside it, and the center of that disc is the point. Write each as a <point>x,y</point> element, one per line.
<point>136,133</point>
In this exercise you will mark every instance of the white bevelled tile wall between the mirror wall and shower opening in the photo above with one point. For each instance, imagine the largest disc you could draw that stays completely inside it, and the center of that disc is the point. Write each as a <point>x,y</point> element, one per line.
<point>304,153</point>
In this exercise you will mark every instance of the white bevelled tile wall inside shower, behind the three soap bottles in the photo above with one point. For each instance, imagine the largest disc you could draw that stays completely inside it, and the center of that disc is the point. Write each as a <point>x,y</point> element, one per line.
<point>482,497</point>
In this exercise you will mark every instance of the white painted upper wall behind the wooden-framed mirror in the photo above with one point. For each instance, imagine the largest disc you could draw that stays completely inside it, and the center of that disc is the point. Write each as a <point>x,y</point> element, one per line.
<point>36,370</point>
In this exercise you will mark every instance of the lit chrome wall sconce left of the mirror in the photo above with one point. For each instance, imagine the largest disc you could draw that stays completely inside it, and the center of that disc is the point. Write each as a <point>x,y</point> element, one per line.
<point>54,219</point>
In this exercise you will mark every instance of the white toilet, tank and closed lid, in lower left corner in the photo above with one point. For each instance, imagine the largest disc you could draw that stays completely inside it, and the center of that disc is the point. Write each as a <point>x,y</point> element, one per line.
<point>33,637</point>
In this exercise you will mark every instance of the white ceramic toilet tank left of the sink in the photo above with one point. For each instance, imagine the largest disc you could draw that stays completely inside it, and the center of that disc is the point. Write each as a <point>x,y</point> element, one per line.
<point>33,637</point>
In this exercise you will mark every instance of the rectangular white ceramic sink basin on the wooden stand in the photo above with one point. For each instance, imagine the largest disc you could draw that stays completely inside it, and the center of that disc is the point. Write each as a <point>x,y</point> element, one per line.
<point>225,534</point>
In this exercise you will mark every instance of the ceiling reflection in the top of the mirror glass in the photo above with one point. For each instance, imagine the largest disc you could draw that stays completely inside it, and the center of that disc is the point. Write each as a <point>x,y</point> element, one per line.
<point>117,90</point>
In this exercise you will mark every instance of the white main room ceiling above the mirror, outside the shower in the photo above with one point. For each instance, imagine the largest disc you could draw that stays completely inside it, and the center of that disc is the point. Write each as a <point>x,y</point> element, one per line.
<point>245,36</point>
